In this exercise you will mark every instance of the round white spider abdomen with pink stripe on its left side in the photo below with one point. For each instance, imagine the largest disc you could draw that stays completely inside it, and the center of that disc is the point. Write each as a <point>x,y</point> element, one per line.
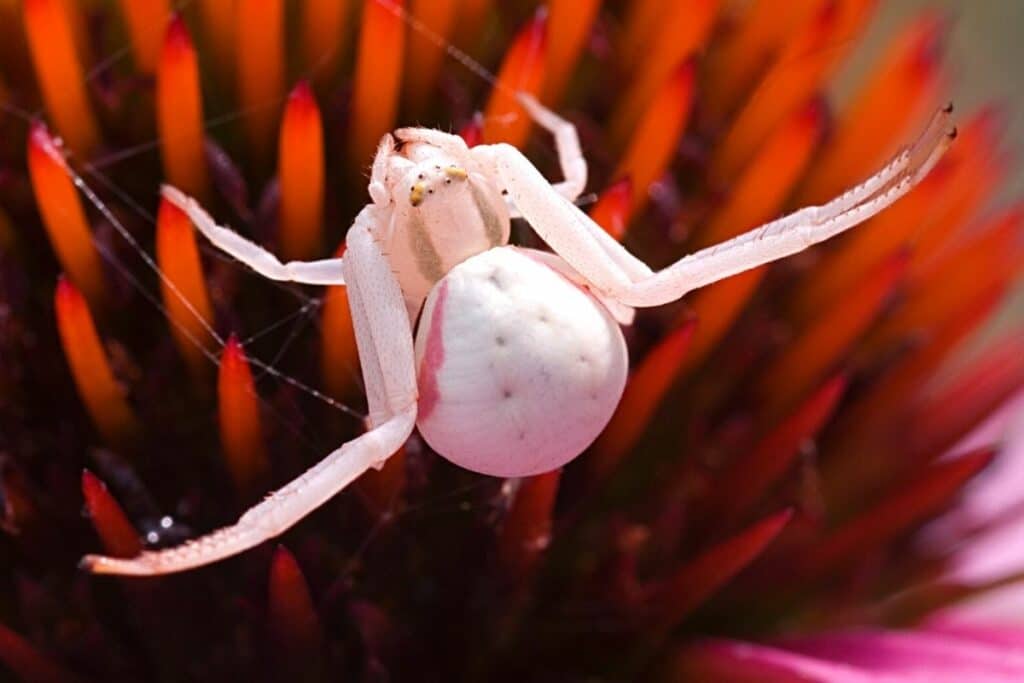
<point>519,369</point>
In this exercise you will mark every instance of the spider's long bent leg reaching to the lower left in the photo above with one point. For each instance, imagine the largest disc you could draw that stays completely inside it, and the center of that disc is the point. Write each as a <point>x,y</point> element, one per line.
<point>386,341</point>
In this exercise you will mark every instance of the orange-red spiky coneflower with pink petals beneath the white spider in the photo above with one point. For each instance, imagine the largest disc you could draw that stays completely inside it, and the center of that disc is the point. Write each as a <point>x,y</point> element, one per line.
<point>780,496</point>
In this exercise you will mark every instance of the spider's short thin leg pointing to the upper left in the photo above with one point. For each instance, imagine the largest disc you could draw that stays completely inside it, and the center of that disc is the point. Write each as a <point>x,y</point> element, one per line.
<point>325,272</point>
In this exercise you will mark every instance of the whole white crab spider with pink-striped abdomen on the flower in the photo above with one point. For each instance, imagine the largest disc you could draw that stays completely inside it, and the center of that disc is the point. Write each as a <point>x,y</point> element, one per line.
<point>519,361</point>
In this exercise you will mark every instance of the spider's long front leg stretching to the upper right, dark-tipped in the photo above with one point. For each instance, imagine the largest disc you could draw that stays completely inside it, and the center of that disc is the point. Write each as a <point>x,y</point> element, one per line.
<point>612,269</point>
